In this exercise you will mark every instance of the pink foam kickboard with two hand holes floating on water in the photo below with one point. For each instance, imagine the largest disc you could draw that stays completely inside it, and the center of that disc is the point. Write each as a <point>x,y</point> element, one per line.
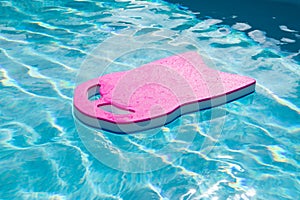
<point>156,93</point>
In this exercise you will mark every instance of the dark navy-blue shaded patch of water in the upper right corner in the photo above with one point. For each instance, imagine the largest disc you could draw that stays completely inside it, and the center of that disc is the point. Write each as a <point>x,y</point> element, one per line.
<point>276,19</point>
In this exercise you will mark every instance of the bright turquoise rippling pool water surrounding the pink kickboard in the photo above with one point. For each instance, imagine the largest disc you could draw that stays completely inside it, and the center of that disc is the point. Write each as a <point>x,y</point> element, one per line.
<point>247,149</point>
